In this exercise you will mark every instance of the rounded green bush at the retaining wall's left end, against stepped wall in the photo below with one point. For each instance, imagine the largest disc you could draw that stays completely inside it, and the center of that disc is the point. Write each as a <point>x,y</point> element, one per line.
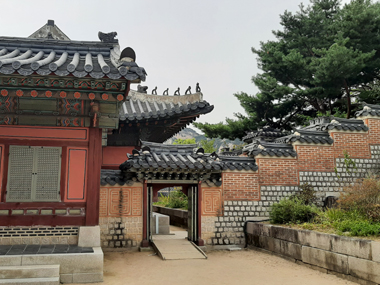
<point>292,211</point>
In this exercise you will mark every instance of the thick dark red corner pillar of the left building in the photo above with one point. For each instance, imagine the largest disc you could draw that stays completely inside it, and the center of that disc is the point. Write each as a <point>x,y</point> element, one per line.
<point>93,176</point>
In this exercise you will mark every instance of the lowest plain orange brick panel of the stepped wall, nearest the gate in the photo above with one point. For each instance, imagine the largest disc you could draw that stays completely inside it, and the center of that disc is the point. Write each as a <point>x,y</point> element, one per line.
<point>240,186</point>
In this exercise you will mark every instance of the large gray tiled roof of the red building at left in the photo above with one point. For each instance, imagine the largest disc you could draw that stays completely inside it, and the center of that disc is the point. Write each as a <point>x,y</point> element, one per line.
<point>46,56</point>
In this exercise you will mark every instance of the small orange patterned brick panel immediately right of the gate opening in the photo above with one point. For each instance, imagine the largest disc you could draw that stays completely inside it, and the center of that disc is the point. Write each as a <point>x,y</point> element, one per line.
<point>212,201</point>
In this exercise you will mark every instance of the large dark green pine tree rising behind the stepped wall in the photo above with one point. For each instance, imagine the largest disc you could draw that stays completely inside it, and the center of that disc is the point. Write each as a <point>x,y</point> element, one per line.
<point>325,59</point>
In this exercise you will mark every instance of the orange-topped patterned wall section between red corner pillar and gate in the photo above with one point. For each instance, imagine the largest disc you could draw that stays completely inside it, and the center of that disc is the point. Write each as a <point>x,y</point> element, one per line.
<point>120,215</point>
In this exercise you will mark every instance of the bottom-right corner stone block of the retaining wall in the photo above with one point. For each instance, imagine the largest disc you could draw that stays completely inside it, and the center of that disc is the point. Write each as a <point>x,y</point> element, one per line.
<point>365,269</point>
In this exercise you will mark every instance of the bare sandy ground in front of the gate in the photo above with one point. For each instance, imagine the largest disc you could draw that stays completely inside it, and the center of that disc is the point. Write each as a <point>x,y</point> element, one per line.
<point>221,267</point>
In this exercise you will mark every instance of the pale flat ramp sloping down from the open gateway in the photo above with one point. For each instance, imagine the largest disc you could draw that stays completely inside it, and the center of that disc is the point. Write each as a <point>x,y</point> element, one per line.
<point>177,249</point>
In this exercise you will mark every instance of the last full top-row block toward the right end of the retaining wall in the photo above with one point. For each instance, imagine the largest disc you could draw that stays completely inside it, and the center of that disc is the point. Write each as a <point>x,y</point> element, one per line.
<point>351,246</point>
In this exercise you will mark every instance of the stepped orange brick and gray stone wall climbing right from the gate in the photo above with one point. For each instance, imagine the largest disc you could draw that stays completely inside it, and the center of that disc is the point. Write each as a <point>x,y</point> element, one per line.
<point>249,195</point>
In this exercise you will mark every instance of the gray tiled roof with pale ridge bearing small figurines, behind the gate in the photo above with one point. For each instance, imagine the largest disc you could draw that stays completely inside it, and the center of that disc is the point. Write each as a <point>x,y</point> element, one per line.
<point>140,106</point>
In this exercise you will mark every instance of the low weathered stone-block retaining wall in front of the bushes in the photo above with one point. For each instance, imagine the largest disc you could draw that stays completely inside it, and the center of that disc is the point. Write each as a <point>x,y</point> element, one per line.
<point>354,259</point>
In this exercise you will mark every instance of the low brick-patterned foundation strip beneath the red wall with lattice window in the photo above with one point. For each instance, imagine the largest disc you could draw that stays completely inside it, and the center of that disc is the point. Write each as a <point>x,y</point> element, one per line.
<point>38,235</point>
